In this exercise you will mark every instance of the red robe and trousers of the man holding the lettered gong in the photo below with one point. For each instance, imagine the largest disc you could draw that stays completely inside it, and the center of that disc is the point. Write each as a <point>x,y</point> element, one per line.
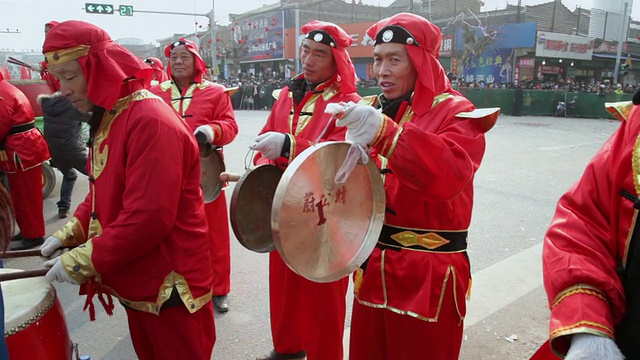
<point>406,296</point>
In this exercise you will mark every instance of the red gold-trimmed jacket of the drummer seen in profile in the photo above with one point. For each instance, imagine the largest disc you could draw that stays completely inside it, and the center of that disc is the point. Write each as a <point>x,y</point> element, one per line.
<point>144,212</point>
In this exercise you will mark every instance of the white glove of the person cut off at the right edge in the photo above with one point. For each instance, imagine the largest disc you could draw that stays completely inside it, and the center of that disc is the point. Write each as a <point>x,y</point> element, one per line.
<point>593,347</point>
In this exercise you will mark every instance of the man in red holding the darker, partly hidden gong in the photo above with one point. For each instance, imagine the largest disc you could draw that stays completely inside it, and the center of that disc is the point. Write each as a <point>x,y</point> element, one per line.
<point>307,316</point>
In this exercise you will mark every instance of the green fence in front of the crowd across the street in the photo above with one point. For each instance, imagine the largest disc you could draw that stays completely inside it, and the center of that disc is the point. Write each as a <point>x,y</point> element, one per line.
<point>535,102</point>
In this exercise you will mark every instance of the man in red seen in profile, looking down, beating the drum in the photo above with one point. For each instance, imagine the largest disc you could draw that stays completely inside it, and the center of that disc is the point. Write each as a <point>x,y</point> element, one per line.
<point>141,232</point>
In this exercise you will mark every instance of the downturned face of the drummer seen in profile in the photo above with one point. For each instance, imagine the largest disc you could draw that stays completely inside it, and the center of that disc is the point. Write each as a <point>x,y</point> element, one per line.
<point>73,84</point>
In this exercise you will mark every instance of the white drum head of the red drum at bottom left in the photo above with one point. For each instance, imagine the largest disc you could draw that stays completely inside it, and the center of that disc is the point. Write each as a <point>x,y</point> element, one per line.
<point>25,301</point>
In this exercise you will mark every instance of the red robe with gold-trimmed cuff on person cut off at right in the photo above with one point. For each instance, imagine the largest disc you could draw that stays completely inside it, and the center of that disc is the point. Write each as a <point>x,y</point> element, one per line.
<point>588,237</point>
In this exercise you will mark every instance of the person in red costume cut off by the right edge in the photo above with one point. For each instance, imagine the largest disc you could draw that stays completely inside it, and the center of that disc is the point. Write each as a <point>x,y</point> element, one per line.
<point>591,254</point>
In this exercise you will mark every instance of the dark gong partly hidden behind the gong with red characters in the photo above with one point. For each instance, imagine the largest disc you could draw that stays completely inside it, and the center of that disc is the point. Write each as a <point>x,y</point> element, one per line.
<point>250,208</point>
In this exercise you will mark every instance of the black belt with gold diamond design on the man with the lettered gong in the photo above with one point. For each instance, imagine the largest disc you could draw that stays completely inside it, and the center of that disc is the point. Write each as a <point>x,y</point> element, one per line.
<point>457,240</point>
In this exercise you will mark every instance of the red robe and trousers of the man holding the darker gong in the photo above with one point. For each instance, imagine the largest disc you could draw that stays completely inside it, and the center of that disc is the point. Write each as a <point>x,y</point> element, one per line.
<point>306,316</point>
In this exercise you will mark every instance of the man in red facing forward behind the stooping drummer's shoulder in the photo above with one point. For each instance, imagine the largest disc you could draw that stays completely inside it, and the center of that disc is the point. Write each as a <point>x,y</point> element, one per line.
<point>207,109</point>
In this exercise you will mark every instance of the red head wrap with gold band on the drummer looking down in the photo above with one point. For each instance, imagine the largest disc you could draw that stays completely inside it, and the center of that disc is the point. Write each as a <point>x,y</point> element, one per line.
<point>105,64</point>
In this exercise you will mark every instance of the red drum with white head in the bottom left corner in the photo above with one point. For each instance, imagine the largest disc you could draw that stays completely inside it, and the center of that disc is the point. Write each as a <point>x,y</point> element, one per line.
<point>34,325</point>
